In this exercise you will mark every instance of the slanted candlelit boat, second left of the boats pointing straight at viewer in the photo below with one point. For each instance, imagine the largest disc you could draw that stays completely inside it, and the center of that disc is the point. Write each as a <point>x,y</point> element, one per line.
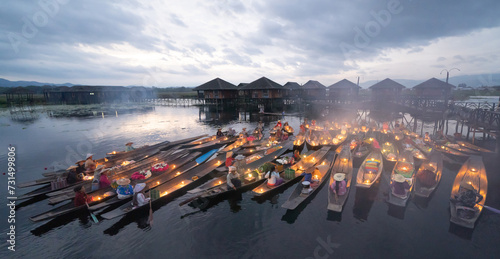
<point>304,165</point>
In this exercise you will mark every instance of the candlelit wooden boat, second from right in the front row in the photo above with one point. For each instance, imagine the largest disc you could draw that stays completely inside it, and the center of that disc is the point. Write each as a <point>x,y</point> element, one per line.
<point>429,175</point>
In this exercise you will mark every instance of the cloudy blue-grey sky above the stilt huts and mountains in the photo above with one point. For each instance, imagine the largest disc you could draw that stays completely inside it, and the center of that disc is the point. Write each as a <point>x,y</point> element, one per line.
<point>173,43</point>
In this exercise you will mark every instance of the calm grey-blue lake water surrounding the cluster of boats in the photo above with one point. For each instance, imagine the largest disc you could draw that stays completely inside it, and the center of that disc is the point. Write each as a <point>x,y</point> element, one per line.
<point>240,227</point>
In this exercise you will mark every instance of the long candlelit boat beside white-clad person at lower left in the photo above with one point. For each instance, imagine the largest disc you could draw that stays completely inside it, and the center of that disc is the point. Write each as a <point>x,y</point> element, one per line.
<point>184,182</point>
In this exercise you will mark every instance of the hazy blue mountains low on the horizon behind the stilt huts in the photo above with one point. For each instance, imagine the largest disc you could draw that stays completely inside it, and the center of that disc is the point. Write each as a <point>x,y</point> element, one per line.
<point>469,80</point>
